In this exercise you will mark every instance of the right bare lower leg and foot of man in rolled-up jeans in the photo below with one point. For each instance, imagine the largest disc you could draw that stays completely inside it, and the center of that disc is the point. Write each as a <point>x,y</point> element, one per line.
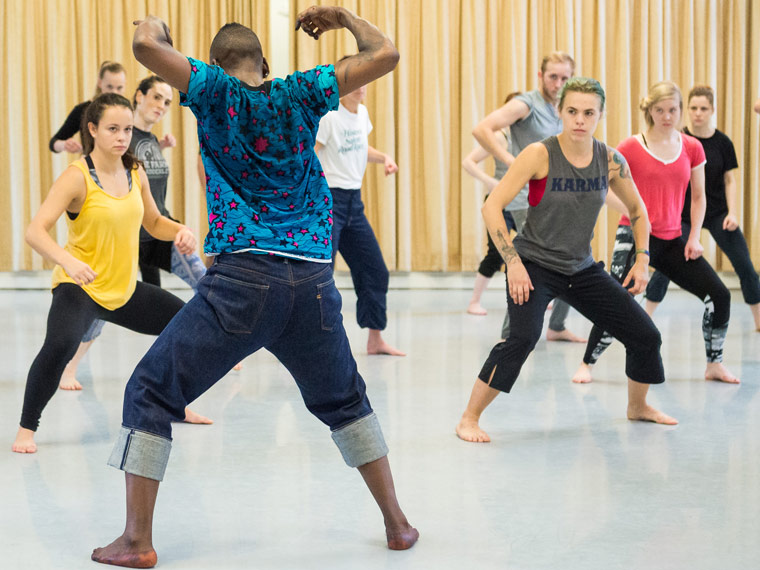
<point>399,533</point>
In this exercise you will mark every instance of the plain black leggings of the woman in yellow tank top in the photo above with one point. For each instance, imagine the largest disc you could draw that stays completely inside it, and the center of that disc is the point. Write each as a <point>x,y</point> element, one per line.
<point>72,311</point>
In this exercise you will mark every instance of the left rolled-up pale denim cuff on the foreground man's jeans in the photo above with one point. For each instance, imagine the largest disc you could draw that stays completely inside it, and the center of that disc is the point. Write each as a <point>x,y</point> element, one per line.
<point>141,453</point>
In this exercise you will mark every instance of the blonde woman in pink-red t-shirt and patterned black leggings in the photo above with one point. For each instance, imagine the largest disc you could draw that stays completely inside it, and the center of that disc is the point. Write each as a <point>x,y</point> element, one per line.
<point>663,162</point>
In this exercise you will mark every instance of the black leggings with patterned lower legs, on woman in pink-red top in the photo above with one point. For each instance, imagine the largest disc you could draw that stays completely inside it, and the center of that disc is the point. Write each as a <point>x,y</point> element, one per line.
<point>695,276</point>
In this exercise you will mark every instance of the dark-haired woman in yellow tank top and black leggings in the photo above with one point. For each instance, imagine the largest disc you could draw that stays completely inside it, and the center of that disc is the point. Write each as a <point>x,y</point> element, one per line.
<point>106,198</point>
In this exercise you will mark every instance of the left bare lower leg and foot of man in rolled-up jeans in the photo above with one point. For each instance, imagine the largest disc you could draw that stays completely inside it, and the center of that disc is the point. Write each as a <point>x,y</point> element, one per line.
<point>134,548</point>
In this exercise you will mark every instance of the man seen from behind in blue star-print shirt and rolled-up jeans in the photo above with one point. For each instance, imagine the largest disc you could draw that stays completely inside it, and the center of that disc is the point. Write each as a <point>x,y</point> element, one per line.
<point>271,284</point>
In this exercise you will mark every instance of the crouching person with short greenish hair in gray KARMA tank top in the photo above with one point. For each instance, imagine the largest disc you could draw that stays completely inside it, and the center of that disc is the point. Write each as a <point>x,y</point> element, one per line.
<point>568,177</point>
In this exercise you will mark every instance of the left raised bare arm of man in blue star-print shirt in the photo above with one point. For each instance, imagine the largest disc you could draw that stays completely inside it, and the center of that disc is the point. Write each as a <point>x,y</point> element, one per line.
<point>153,47</point>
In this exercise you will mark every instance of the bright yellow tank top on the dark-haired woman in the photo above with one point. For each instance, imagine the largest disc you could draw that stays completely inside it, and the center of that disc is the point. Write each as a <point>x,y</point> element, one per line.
<point>105,235</point>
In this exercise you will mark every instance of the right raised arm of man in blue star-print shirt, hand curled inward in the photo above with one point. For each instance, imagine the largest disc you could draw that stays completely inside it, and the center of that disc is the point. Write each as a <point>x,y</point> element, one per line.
<point>377,54</point>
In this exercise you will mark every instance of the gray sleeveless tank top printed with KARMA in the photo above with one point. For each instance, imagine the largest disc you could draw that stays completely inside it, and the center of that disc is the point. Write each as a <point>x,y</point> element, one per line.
<point>563,210</point>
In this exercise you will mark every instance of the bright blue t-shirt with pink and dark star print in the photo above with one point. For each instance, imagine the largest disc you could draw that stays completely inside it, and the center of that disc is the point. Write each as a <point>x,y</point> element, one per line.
<point>265,188</point>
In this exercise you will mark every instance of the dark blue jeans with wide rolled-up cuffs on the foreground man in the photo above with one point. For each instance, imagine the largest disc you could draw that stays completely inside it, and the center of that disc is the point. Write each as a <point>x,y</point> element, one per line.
<point>246,302</point>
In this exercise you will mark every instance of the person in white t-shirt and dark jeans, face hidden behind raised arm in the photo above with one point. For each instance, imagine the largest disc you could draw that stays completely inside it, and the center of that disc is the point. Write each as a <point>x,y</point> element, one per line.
<point>343,150</point>
